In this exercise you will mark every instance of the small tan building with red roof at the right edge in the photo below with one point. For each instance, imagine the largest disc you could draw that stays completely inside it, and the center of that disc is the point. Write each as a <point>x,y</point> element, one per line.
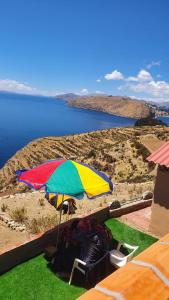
<point>159,223</point>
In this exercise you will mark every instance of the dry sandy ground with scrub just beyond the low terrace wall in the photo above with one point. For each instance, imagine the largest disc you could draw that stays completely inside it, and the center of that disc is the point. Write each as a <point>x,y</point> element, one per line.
<point>38,209</point>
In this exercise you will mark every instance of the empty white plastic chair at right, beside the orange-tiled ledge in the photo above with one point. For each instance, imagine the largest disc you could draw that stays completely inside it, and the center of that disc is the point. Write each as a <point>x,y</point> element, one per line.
<point>118,259</point>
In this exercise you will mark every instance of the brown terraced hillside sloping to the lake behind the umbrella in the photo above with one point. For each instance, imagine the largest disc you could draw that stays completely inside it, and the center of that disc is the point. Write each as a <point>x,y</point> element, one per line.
<point>119,152</point>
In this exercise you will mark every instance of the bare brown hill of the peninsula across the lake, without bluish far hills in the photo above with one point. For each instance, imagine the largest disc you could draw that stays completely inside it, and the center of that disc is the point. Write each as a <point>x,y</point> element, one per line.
<point>116,105</point>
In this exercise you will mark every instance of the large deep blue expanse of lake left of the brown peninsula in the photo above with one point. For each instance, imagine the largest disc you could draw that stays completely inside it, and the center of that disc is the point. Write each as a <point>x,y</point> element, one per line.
<point>24,118</point>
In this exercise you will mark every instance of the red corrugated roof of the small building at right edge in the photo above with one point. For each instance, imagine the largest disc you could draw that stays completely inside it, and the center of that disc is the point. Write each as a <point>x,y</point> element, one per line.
<point>161,156</point>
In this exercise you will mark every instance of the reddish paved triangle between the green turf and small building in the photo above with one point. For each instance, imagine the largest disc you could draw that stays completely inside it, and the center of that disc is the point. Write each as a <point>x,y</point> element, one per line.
<point>139,219</point>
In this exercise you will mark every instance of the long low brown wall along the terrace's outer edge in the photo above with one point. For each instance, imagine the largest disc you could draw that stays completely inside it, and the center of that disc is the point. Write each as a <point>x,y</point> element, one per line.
<point>20,253</point>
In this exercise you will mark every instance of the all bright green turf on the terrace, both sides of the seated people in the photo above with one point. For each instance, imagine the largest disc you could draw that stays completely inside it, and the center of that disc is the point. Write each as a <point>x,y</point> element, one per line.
<point>32,280</point>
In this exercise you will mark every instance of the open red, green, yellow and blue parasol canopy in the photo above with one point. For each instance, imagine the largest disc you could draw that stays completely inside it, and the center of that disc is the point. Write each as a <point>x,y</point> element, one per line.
<point>67,177</point>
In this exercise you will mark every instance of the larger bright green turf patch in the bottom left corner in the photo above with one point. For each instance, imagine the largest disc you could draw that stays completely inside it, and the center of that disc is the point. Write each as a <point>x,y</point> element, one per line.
<point>32,280</point>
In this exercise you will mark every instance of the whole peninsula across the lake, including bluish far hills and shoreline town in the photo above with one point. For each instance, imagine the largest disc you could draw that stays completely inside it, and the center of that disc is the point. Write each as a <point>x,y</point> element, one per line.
<point>115,105</point>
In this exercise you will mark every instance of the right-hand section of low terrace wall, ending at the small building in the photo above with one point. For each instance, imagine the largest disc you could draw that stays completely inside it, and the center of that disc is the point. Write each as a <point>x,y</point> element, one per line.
<point>128,208</point>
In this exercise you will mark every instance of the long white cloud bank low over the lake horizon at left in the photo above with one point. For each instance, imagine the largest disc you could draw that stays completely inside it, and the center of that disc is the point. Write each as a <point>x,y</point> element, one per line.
<point>10,85</point>
